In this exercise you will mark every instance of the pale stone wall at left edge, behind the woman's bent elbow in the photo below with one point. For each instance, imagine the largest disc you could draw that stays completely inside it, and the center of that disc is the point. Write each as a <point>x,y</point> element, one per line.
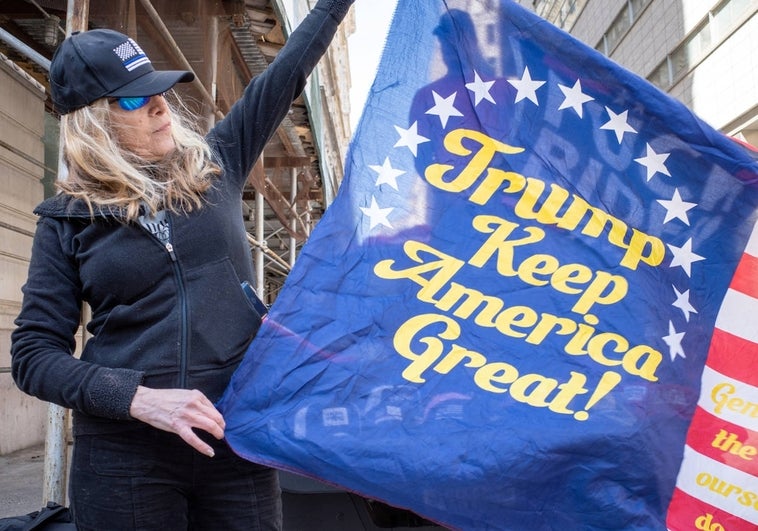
<point>22,123</point>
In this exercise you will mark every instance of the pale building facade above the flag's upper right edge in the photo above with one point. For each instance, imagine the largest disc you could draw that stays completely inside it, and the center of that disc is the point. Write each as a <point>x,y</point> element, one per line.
<point>701,52</point>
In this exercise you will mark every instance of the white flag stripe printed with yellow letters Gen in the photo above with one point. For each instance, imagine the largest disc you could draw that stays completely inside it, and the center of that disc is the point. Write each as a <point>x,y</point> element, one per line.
<point>729,399</point>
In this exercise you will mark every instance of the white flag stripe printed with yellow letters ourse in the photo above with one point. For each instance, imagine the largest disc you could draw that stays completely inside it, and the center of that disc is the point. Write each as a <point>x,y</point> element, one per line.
<point>708,480</point>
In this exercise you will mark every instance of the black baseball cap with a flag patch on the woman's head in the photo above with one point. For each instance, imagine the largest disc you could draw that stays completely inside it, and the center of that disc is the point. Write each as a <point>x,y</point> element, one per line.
<point>100,63</point>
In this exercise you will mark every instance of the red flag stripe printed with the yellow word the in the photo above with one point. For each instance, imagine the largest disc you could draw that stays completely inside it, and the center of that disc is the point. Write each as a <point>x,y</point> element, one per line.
<point>727,443</point>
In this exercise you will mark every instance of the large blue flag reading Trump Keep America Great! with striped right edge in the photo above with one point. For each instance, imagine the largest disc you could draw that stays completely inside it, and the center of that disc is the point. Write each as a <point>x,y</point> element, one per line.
<point>538,274</point>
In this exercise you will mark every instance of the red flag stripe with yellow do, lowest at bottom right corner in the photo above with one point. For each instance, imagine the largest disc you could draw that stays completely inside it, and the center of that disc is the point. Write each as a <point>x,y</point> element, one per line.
<point>687,513</point>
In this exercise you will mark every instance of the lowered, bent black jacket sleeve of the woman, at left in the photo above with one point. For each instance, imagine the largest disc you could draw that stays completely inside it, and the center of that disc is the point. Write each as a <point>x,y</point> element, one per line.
<point>43,342</point>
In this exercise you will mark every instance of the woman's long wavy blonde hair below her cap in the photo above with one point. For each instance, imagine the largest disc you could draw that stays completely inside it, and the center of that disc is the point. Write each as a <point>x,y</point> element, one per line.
<point>103,174</point>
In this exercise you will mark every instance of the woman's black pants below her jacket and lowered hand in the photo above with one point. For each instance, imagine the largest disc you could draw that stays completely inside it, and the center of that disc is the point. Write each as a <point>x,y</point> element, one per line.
<point>150,479</point>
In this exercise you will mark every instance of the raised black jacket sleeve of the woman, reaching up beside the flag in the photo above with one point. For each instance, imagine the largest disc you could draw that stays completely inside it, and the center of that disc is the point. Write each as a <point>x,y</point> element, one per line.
<point>240,137</point>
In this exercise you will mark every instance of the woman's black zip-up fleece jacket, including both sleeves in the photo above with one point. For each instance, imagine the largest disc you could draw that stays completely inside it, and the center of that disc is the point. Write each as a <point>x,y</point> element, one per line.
<point>162,316</point>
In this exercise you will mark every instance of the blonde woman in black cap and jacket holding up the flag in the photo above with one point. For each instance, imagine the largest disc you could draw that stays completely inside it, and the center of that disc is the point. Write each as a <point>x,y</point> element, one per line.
<point>147,230</point>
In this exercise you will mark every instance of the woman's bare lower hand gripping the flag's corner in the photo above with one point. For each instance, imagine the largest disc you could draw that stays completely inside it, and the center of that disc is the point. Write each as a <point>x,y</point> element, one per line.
<point>178,411</point>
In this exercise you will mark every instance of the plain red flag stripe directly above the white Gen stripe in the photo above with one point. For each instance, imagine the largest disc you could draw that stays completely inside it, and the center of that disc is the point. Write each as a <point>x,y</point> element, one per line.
<point>734,357</point>
